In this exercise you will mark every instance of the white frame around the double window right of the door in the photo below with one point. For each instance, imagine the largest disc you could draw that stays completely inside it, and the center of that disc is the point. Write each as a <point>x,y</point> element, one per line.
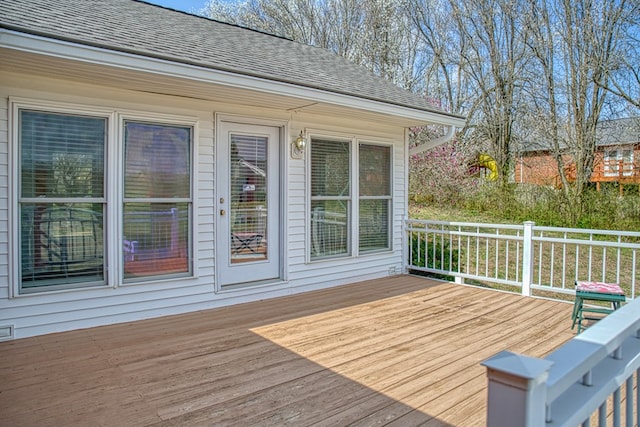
<point>354,213</point>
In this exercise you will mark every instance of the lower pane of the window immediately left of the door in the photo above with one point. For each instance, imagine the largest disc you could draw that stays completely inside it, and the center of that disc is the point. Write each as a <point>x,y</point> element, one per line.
<point>156,239</point>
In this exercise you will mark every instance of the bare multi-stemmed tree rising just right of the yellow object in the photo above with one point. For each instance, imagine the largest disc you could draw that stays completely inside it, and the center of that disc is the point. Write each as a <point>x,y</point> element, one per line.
<point>478,60</point>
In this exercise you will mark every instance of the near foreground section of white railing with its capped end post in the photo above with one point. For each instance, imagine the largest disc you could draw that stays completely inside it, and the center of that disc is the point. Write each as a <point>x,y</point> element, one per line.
<point>587,381</point>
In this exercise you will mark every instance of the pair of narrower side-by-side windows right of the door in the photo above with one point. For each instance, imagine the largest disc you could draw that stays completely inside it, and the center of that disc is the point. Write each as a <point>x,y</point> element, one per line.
<point>337,182</point>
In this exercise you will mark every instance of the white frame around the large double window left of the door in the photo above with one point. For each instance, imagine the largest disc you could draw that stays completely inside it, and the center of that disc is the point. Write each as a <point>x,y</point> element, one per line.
<point>113,191</point>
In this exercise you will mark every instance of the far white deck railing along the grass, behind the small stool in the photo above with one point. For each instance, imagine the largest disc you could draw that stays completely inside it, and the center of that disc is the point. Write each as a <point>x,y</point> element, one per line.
<point>529,257</point>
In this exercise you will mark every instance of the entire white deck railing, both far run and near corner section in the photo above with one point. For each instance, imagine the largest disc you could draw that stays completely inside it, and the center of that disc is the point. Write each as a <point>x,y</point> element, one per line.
<point>590,379</point>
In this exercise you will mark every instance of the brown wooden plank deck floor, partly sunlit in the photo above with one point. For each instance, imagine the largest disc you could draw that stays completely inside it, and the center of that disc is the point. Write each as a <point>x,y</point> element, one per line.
<point>398,351</point>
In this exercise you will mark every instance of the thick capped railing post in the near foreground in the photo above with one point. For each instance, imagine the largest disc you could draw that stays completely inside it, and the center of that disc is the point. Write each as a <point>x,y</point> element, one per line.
<point>517,390</point>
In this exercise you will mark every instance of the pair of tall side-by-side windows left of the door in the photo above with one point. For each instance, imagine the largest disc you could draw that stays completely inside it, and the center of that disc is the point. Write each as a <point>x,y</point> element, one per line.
<point>67,224</point>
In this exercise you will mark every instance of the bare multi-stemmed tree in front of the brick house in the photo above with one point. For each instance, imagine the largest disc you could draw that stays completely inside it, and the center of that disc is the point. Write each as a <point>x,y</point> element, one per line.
<point>574,43</point>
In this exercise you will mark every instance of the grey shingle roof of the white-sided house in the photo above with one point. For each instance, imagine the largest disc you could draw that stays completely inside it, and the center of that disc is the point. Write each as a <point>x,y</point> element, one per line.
<point>140,28</point>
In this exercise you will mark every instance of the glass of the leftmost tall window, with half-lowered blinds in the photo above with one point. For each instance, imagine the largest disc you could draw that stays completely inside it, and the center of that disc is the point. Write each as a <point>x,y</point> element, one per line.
<point>61,232</point>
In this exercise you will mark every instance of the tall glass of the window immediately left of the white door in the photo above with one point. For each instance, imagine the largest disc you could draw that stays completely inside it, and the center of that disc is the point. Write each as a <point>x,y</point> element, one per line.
<point>157,203</point>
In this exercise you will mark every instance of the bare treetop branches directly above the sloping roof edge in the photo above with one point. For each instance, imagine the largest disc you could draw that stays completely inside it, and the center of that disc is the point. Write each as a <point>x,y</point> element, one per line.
<point>372,33</point>
